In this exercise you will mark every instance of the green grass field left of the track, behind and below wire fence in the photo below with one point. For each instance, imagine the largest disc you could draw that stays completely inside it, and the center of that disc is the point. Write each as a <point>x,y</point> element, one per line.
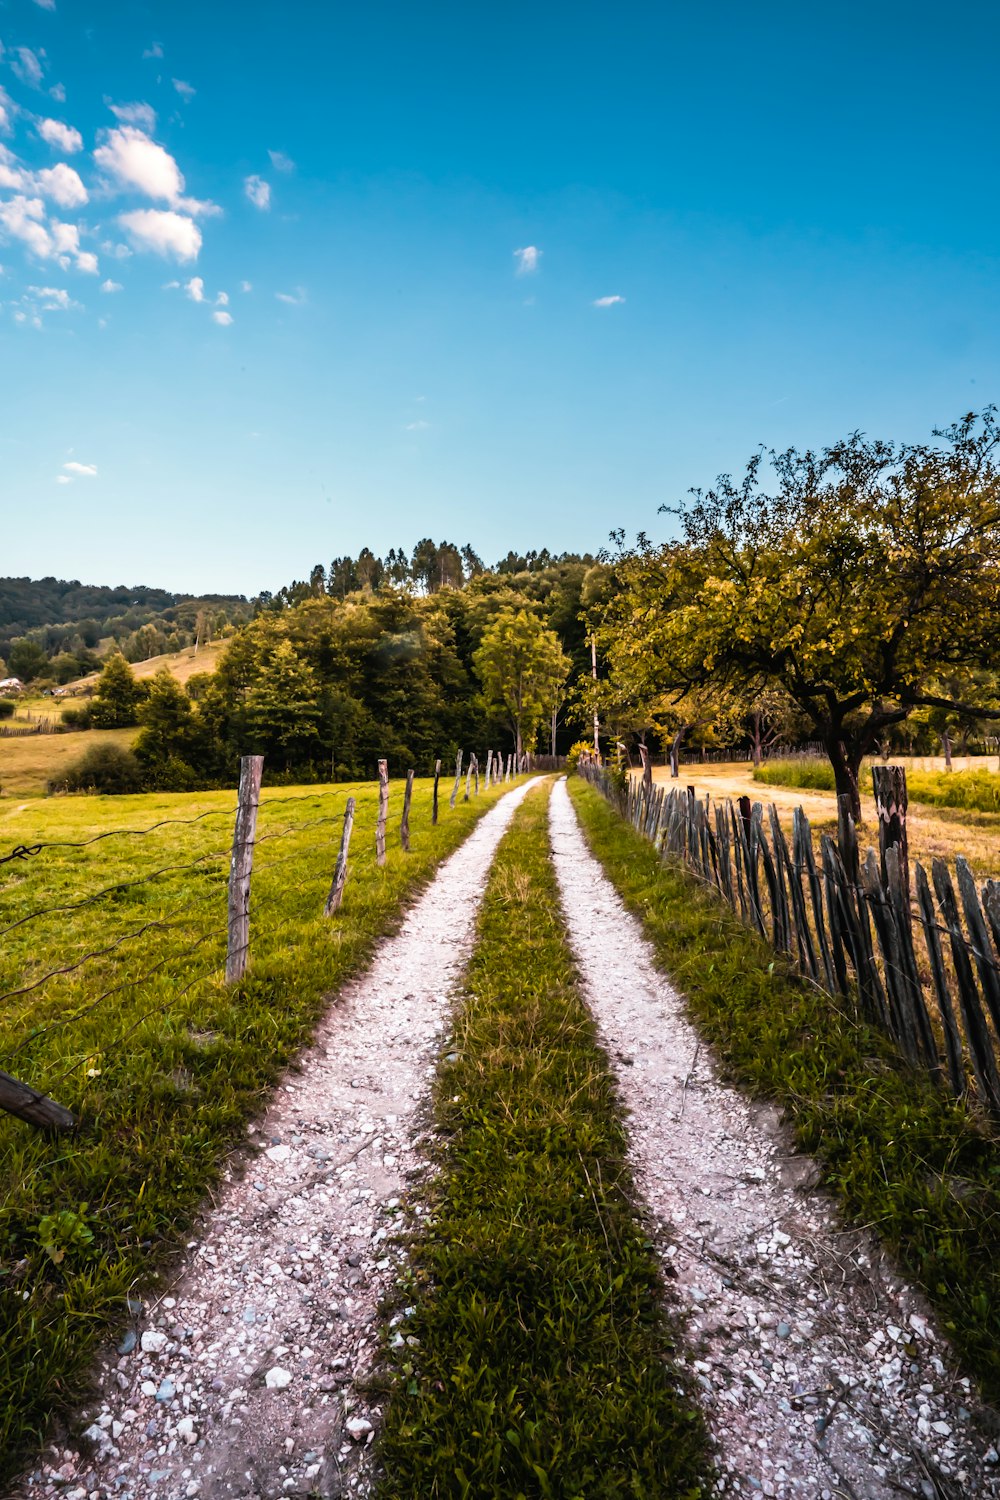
<point>158,1058</point>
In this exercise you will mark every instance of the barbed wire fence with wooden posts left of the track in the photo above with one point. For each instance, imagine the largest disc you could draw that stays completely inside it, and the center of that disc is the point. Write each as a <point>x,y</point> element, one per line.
<point>92,926</point>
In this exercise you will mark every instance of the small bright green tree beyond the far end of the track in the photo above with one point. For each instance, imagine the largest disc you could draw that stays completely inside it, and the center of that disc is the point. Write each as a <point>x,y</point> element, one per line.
<point>522,670</point>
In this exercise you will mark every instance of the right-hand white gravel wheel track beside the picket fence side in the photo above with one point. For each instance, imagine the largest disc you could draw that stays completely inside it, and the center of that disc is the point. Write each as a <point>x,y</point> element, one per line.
<point>822,1372</point>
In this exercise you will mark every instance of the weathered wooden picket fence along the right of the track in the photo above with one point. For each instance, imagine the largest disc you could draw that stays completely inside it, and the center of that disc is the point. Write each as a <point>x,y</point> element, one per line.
<point>926,970</point>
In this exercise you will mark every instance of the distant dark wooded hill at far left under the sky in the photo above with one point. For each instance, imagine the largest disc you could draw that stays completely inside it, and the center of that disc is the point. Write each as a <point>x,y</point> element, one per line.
<point>58,629</point>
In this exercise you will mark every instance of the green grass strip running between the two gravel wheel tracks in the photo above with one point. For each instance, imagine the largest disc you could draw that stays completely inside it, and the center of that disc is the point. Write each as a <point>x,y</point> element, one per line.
<point>545,1364</point>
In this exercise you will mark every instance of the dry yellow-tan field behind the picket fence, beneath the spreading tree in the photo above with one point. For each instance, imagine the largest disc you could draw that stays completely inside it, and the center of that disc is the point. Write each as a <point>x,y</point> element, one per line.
<point>933,832</point>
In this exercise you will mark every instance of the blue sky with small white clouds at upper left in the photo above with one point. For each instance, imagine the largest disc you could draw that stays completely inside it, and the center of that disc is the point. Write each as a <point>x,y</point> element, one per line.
<point>286,281</point>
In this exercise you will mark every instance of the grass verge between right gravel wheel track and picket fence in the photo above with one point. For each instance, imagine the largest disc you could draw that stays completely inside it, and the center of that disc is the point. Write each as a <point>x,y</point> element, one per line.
<point>905,1160</point>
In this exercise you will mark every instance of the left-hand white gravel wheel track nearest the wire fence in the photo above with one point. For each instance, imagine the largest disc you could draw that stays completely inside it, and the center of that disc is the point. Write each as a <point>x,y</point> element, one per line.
<point>250,1378</point>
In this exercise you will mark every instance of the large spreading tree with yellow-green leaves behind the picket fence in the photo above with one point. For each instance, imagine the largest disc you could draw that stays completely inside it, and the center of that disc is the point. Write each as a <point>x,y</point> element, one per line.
<point>864,584</point>
